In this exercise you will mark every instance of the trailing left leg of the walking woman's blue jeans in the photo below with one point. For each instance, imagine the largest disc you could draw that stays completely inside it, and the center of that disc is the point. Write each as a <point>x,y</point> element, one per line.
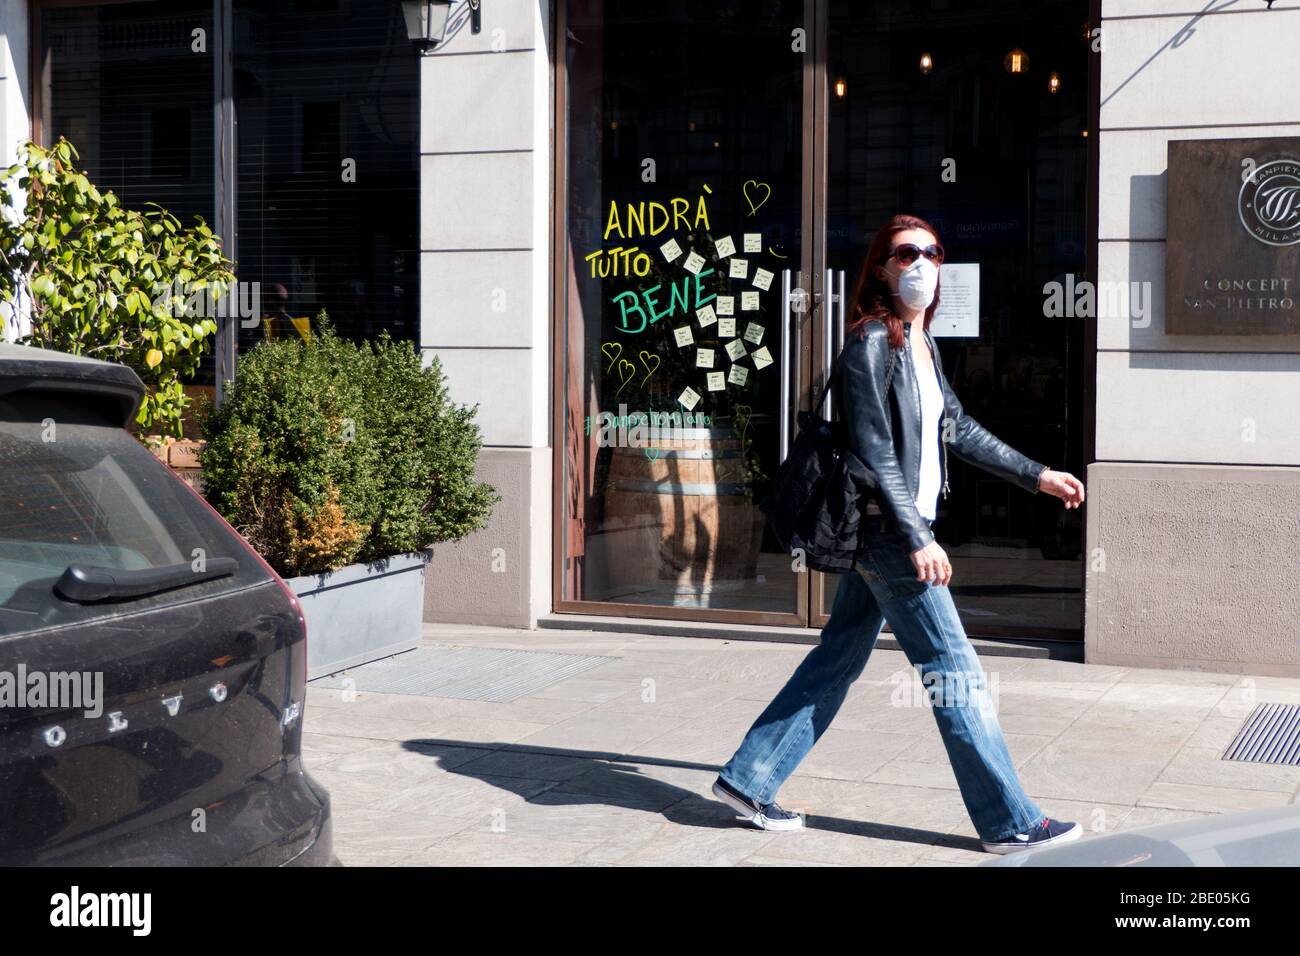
<point>786,732</point>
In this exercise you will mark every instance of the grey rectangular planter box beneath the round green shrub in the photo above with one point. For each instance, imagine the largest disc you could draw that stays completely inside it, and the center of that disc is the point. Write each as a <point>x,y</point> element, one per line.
<point>362,612</point>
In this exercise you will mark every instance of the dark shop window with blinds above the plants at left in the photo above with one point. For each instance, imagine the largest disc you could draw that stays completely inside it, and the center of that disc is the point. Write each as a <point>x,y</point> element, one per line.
<point>326,188</point>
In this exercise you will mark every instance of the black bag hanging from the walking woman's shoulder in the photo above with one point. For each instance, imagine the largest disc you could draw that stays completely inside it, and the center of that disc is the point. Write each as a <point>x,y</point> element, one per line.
<point>821,490</point>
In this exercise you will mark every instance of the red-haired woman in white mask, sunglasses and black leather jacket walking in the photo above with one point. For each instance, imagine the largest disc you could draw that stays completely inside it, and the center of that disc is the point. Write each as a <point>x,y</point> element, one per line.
<point>902,417</point>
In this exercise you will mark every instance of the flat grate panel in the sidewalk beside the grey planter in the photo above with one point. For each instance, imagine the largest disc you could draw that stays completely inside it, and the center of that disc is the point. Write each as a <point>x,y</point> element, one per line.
<point>466,673</point>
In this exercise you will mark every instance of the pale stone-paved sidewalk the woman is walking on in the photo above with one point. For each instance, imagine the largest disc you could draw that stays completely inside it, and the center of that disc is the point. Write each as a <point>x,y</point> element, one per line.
<point>614,765</point>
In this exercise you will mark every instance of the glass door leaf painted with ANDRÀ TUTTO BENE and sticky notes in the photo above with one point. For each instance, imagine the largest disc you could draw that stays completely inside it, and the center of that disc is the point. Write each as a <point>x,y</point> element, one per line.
<point>683,319</point>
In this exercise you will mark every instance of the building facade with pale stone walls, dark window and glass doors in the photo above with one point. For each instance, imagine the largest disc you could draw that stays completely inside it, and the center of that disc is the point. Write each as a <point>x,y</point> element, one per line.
<point>631,232</point>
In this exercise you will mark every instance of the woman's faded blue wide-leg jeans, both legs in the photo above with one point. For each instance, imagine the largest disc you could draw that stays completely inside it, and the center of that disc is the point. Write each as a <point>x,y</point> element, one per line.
<point>926,625</point>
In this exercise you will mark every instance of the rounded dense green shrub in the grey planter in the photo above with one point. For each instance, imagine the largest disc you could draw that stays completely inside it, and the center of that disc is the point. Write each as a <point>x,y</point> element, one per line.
<point>328,453</point>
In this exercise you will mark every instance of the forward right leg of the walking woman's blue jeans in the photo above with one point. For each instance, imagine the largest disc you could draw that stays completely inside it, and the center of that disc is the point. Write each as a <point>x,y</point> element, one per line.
<point>928,628</point>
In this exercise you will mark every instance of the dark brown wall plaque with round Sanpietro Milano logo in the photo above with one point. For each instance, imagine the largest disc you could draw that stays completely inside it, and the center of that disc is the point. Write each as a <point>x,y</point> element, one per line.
<point>1233,227</point>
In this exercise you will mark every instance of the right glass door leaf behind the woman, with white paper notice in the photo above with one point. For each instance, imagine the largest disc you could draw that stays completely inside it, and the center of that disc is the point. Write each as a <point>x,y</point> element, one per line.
<point>974,118</point>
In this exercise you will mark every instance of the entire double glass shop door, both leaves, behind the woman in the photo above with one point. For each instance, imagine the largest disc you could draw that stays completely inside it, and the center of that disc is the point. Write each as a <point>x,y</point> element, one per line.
<point>723,168</point>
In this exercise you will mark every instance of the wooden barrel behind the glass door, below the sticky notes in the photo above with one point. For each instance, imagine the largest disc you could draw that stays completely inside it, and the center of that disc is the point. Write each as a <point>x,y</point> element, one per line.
<point>683,516</point>
